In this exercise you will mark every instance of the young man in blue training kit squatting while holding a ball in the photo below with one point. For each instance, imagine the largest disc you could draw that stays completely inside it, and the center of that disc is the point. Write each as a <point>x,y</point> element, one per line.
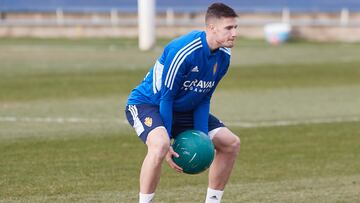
<point>175,96</point>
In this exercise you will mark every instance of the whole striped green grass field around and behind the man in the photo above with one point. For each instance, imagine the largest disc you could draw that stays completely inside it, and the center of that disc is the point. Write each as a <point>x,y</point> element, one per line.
<point>63,136</point>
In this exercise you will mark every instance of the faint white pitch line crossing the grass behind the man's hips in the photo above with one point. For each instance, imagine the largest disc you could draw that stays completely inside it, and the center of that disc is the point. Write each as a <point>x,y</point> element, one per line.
<point>229,123</point>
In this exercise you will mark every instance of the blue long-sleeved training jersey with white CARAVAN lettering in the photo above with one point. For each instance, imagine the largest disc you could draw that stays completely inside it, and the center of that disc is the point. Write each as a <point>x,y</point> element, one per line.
<point>183,79</point>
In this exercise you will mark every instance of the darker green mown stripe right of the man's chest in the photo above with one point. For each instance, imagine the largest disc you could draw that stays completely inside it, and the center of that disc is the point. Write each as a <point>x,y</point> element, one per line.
<point>292,76</point>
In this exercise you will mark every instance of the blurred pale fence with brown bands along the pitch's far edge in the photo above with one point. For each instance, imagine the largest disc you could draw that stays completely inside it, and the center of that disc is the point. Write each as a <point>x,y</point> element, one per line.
<point>115,23</point>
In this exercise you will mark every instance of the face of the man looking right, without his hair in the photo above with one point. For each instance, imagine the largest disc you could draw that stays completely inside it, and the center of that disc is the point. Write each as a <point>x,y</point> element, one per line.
<point>225,30</point>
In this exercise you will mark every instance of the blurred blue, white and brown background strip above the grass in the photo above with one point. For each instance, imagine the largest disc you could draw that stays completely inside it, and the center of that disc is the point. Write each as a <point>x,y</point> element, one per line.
<point>325,20</point>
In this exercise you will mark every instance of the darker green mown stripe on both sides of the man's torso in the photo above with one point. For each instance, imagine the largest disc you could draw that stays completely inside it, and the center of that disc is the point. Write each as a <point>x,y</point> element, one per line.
<point>106,82</point>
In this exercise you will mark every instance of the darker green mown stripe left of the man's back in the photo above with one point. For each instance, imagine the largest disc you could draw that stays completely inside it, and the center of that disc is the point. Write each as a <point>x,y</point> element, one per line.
<point>68,85</point>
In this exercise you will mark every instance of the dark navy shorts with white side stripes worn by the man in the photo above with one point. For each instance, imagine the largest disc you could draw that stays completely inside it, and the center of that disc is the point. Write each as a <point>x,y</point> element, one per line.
<point>144,118</point>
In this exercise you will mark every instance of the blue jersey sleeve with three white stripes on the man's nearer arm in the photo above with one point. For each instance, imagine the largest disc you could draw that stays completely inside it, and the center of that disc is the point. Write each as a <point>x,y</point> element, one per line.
<point>174,69</point>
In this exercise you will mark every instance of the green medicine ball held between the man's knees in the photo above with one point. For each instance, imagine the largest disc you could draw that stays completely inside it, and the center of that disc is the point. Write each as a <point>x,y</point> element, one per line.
<point>195,149</point>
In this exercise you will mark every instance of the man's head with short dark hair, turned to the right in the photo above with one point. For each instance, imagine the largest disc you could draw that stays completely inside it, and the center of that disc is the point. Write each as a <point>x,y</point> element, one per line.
<point>221,24</point>
